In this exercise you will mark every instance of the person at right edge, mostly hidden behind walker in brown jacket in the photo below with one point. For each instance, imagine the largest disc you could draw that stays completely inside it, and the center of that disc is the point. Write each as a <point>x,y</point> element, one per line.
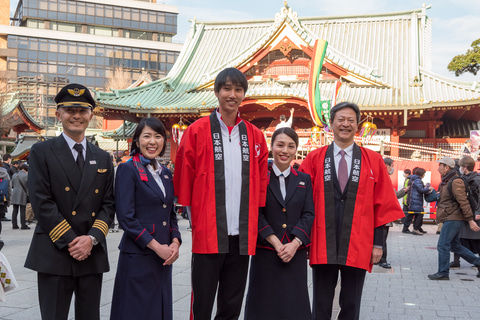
<point>468,238</point>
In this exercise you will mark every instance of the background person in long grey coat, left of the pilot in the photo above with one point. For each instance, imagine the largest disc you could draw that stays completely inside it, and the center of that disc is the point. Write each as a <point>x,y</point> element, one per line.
<point>19,197</point>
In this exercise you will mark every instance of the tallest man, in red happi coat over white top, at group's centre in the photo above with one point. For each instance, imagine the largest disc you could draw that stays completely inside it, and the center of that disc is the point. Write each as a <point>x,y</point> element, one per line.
<point>221,173</point>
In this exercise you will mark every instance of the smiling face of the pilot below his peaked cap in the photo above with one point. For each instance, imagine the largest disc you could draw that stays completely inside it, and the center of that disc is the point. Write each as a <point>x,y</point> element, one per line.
<point>74,120</point>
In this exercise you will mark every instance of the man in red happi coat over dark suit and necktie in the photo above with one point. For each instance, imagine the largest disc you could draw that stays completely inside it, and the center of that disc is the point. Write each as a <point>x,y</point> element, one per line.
<point>354,199</point>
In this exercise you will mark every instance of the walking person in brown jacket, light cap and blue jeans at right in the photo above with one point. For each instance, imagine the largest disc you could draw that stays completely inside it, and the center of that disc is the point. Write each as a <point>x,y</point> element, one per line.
<point>454,211</point>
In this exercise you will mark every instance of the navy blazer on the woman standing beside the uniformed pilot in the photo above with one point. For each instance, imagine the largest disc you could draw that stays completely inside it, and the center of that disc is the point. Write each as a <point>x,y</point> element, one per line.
<point>143,212</point>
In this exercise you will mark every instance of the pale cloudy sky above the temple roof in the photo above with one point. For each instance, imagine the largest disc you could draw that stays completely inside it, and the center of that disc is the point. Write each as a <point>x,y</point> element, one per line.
<point>456,23</point>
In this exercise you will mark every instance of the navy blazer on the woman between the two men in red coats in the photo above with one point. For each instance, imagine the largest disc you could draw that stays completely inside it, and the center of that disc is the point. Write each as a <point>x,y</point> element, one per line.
<point>289,218</point>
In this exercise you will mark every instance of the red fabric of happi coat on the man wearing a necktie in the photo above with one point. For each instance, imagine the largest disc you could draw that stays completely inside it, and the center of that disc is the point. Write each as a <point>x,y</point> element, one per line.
<point>375,205</point>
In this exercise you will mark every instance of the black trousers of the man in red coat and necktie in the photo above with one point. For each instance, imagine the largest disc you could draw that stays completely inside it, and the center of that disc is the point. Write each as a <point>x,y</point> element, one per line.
<point>325,278</point>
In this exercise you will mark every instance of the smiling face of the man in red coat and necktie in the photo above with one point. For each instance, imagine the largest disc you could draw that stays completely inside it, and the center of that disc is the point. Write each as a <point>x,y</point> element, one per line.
<point>344,126</point>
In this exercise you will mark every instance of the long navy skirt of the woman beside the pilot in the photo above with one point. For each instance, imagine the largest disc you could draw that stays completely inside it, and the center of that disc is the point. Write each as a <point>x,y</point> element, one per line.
<point>143,288</point>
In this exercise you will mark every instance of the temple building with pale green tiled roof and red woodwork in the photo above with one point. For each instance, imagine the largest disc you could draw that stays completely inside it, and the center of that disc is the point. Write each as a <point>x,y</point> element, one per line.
<point>382,62</point>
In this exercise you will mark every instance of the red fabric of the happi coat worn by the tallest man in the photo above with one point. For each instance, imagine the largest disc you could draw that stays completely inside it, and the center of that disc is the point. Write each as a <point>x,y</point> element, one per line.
<point>194,182</point>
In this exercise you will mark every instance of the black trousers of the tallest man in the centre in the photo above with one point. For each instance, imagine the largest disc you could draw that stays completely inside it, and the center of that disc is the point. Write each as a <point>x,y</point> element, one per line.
<point>228,272</point>
